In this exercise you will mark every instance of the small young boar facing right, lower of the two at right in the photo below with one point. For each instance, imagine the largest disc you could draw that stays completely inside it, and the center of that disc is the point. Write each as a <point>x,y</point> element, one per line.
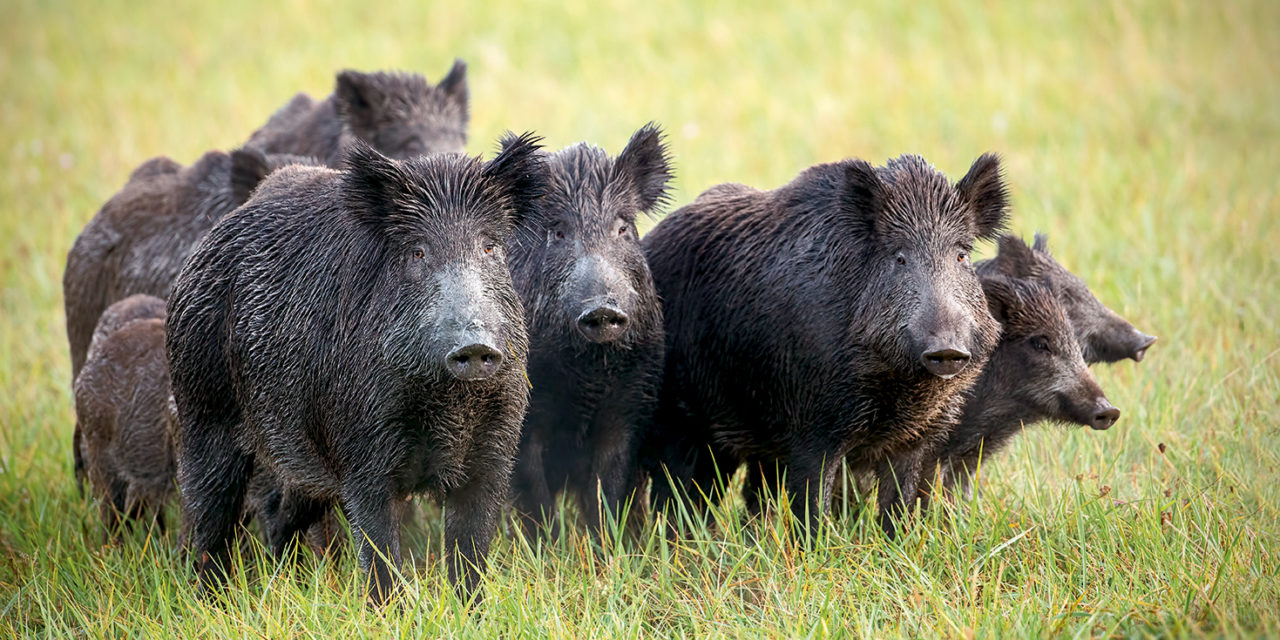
<point>1037,373</point>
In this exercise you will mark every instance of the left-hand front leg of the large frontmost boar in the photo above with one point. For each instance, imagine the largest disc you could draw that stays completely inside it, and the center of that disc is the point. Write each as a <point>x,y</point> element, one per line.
<point>369,508</point>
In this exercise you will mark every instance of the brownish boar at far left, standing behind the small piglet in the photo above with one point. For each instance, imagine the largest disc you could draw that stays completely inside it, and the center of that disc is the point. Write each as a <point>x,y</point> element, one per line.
<point>141,237</point>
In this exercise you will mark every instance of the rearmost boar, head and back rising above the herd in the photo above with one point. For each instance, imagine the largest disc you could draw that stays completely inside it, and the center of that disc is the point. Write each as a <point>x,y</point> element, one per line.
<point>399,115</point>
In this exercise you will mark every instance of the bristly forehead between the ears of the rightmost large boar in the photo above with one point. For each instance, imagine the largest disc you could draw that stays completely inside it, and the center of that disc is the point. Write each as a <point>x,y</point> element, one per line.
<point>922,208</point>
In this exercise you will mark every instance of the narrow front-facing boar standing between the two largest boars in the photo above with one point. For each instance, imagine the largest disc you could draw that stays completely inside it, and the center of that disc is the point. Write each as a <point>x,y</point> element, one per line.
<point>595,327</point>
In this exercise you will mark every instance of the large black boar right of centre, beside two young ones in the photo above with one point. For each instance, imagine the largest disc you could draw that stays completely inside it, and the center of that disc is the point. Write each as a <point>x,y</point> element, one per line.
<point>835,317</point>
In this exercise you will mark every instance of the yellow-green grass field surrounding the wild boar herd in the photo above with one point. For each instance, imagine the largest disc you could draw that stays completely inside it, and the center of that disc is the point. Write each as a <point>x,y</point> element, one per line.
<point>1145,138</point>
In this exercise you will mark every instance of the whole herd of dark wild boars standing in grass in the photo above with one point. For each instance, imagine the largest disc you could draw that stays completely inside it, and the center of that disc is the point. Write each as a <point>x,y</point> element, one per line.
<point>349,312</point>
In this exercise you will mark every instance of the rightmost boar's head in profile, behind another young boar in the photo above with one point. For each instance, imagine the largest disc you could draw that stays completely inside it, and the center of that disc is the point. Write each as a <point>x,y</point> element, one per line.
<point>1104,336</point>
